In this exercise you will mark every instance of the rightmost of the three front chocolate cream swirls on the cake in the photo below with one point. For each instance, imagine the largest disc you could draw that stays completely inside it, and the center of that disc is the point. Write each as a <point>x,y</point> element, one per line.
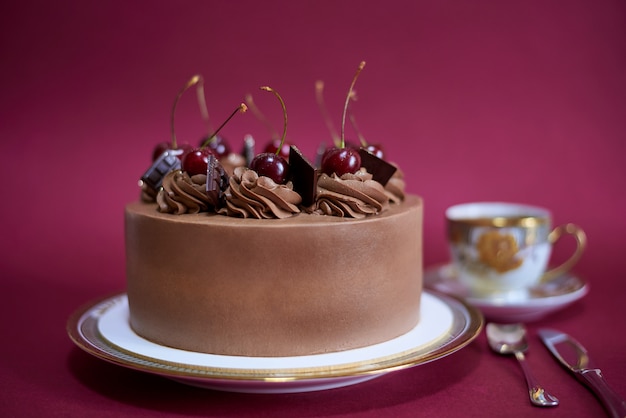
<point>351,195</point>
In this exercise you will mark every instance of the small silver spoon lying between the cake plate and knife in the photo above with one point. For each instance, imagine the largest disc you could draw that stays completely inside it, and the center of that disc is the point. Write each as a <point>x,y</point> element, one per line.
<point>511,339</point>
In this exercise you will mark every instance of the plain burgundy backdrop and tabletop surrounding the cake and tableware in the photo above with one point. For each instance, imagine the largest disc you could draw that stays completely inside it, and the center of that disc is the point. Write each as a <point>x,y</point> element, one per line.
<point>475,100</point>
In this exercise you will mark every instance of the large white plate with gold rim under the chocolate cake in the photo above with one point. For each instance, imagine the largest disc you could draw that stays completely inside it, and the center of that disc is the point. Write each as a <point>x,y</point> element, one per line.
<point>102,329</point>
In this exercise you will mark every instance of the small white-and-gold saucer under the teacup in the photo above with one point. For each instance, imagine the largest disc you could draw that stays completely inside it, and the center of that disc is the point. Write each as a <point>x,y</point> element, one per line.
<point>540,301</point>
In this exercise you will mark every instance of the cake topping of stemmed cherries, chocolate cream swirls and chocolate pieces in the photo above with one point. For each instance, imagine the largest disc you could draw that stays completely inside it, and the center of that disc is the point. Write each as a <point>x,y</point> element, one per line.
<point>346,180</point>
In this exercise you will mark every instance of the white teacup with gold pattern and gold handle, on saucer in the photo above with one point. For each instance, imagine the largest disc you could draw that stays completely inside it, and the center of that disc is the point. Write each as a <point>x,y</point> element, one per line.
<point>501,250</point>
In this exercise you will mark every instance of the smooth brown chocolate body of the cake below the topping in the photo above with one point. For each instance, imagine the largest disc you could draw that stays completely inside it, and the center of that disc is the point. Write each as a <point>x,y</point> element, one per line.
<point>282,287</point>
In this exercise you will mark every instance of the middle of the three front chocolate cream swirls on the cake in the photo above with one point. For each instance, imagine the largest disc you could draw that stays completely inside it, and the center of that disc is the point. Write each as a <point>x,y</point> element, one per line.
<point>252,196</point>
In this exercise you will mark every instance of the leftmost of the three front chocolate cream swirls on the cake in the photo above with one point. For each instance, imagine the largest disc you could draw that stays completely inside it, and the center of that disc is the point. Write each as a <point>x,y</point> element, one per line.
<point>181,193</point>
